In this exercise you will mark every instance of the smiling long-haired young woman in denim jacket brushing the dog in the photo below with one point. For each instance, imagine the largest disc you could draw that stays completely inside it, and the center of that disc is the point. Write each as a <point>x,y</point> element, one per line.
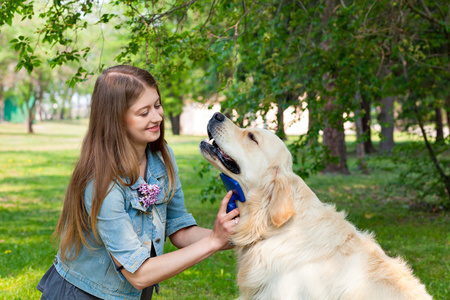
<point>124,199</point>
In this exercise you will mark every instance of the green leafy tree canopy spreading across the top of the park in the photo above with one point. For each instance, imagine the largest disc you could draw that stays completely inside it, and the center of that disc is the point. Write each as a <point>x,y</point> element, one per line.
<point>313,54</point>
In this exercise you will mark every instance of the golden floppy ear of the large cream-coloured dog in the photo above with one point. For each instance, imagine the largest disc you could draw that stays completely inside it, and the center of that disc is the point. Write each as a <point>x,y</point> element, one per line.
<point>281,207</point>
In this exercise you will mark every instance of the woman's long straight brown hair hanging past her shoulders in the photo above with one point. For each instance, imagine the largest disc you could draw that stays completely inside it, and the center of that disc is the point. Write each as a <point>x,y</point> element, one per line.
<point>107,155</point>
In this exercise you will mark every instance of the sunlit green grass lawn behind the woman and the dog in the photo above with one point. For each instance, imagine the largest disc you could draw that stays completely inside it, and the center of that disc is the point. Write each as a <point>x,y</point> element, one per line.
<point>35,170</point>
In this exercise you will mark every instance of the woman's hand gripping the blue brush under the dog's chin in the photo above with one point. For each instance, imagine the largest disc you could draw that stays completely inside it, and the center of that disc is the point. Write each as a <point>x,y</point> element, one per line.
<point>224,224</point>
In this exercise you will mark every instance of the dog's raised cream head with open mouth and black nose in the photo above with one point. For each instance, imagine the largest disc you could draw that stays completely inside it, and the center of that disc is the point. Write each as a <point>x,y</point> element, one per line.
<point>258,160</point>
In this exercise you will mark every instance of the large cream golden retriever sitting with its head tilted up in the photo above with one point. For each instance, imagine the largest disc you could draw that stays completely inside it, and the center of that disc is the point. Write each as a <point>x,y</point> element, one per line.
<point>289,244</point>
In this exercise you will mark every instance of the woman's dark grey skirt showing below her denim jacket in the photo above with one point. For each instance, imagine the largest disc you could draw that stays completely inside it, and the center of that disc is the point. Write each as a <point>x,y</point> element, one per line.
<point>54,287</point>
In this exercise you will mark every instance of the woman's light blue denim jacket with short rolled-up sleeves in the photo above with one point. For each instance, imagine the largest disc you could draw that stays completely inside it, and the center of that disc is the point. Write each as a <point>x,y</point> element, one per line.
<point>127,231</point>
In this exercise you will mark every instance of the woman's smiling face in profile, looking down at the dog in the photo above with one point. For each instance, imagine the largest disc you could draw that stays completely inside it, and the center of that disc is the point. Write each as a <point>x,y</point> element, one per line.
<point>144,117</point>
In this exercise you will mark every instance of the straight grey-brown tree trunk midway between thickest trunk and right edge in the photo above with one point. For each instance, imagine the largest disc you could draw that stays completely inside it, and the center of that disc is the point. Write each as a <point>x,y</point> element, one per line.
<point>386,119</point>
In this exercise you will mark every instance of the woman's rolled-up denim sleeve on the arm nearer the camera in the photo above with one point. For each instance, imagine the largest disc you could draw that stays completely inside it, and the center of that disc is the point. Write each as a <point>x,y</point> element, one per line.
<point>115,229</point>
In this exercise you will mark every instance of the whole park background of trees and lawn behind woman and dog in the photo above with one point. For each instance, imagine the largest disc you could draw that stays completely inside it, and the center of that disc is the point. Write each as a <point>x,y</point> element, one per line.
<point>368,81</point>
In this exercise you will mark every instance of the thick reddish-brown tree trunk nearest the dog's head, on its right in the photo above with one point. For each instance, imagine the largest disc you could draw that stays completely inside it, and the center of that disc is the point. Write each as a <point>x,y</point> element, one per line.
<point>334,139</point>
